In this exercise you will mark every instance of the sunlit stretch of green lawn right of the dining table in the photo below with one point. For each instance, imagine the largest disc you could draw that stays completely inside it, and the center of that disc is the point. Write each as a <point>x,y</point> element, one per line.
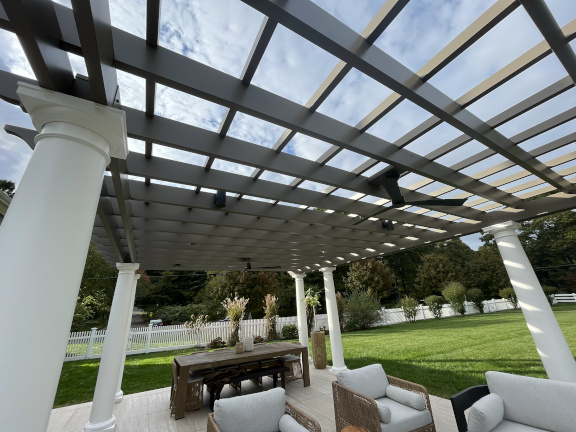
<point>451,354</point>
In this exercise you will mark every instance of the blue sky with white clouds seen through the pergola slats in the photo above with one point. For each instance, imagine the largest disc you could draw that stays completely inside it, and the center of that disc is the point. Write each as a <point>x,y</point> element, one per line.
<point>220,34</point>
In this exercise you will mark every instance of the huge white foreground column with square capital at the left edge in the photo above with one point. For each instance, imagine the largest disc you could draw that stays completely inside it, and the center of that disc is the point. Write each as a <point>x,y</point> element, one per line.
<point>44,243</point>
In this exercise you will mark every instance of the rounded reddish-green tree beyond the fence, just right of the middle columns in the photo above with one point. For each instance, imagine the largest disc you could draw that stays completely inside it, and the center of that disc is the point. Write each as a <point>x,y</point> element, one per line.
<point>372,276</point>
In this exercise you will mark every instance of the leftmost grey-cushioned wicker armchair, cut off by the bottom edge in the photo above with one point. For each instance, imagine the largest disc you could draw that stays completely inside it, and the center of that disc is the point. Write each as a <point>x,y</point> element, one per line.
<point>266,411</point>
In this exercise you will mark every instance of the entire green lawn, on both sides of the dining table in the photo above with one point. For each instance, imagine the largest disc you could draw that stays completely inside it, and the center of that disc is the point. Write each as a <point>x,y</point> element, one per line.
<point>445,355</point>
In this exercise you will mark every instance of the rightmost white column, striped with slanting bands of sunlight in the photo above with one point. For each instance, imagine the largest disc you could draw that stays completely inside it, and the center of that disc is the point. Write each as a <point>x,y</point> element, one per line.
<point>555,353</point>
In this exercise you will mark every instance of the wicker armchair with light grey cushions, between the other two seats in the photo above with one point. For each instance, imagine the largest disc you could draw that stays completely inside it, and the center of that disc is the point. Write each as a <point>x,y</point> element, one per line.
<point>367,397</point>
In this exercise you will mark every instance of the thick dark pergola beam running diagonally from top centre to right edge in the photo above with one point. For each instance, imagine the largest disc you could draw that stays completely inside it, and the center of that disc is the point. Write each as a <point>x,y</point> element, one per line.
<point>322,29</point>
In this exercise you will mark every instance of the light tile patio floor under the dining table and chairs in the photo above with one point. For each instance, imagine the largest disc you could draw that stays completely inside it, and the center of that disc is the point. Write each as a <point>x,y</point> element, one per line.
<point>149,411</point>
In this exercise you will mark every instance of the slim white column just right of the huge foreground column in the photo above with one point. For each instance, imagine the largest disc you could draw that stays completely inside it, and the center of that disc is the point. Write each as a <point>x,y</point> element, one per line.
<point>101,417</point>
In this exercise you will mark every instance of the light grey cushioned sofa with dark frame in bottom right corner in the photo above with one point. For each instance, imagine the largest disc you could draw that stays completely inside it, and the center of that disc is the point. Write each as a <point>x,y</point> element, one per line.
<point>516,403</point>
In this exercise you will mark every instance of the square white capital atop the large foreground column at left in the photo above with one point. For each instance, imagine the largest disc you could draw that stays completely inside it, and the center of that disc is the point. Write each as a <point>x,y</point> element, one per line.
<point>47,106</point>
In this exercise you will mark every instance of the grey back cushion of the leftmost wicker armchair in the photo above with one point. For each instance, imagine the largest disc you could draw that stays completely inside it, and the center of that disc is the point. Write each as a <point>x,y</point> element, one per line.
<point>245,413</point>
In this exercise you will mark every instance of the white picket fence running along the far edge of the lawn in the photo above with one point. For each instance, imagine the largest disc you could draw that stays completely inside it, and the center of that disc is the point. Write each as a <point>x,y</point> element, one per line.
<point>88,344</point>
